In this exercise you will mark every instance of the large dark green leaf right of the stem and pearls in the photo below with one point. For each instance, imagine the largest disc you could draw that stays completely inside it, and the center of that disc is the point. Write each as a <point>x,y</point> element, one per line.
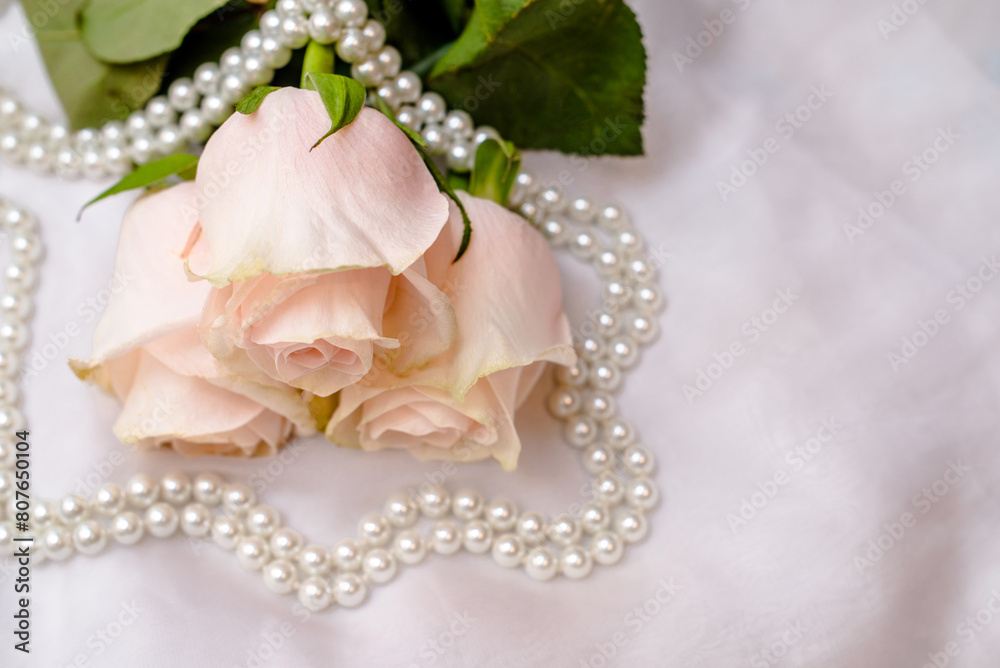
<point>551,74</point>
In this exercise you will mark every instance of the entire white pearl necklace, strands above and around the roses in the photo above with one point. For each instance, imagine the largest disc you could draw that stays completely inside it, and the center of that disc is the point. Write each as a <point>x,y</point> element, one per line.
<point>228,513</point>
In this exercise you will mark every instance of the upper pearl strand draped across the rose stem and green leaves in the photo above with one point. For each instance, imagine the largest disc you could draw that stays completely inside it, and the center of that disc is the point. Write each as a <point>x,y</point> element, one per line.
<point>193,106</point>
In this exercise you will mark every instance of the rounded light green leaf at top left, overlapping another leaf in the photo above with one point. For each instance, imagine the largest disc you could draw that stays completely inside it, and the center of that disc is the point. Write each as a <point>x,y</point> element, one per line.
<point>124,31</point>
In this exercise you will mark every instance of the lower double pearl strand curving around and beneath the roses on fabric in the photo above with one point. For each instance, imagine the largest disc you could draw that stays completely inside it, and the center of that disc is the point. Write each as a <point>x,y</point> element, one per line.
<point>229,513</point>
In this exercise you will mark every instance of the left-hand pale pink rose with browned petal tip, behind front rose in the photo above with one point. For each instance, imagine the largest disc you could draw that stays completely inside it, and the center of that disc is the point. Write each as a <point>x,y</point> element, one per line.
<point>147,351</point>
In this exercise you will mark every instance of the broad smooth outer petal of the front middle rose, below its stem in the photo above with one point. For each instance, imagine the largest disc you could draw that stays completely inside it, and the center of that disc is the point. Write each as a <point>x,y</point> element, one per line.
<point>269,204</point>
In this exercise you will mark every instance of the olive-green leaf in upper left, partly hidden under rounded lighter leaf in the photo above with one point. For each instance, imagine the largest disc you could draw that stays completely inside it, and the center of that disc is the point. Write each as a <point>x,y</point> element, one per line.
<point>92,92</point>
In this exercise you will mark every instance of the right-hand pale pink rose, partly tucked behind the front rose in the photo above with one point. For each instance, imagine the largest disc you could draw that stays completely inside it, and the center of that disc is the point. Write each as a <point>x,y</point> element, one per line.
<point>508,303</point>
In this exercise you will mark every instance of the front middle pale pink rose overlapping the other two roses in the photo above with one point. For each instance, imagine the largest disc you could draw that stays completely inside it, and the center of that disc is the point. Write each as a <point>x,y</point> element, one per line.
<point>316,253</point>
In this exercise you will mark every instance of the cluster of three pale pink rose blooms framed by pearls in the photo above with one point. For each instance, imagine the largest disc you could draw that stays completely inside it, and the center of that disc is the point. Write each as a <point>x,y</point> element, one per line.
<point>288,291</point>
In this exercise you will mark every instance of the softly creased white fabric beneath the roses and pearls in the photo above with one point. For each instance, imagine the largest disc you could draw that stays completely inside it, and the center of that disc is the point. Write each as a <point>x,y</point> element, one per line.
<point>788,580</point>
